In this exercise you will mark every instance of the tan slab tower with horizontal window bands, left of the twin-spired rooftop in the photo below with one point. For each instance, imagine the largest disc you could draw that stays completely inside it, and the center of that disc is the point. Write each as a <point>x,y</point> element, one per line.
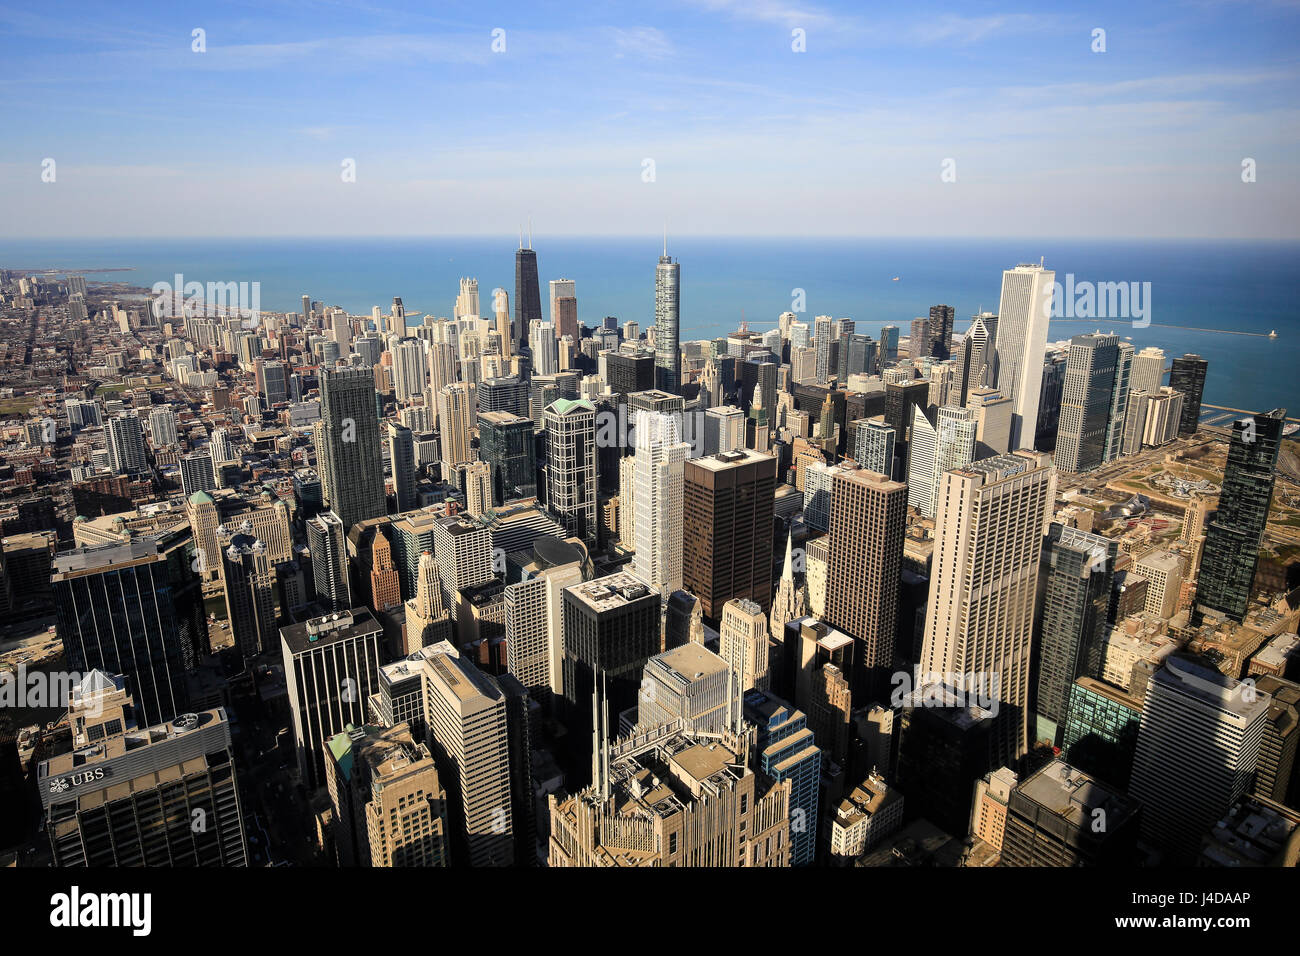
<point>470,738</point>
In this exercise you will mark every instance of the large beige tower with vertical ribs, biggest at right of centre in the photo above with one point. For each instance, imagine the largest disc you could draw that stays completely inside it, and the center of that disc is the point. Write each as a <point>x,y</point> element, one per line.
<point>989,542</point>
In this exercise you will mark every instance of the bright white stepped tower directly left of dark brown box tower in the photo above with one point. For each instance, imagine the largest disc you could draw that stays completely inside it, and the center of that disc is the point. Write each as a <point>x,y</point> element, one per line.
<point>660,465</point>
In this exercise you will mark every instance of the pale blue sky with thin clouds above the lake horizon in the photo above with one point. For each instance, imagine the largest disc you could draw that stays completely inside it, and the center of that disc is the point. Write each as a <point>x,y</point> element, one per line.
<point>912,119</point>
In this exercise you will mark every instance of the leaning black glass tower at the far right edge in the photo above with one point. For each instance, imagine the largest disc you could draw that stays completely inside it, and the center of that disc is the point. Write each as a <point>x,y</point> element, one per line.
<point>1233,539</point>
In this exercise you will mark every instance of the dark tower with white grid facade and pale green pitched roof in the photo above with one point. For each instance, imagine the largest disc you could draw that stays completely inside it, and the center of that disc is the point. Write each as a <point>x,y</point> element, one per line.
<point>571,478</point>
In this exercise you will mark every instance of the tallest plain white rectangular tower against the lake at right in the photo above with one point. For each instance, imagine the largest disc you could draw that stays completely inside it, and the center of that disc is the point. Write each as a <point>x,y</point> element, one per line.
<point>1024,314</point>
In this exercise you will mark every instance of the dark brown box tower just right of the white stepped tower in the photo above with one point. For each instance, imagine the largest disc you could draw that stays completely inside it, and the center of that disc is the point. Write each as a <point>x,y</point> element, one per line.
<point>727,529</point>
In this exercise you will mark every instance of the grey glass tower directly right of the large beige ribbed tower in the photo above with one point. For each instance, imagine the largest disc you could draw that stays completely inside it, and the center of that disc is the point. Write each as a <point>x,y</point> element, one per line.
<point>1077,572</point>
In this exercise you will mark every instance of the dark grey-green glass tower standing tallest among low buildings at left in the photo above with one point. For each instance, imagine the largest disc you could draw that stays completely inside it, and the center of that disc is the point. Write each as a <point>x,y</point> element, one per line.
<point>350,432</point>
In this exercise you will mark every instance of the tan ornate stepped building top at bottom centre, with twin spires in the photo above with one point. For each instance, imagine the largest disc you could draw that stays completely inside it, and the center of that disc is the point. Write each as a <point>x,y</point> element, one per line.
<point>674,799</point>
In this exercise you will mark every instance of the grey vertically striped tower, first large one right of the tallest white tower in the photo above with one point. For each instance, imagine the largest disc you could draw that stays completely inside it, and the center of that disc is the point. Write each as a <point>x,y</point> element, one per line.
<point>1087,401</point>
